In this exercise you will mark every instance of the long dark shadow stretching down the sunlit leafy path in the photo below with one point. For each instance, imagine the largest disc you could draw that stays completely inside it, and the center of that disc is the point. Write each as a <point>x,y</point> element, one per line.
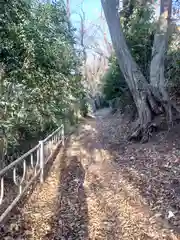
<point>71,218</point>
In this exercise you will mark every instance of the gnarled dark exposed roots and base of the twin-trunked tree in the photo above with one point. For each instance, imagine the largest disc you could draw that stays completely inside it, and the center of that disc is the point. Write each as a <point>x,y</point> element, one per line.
<point>149,110</point>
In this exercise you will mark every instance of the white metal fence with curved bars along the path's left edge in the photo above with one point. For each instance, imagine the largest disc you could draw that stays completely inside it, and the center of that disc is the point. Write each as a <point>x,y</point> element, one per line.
<point>27,169</point>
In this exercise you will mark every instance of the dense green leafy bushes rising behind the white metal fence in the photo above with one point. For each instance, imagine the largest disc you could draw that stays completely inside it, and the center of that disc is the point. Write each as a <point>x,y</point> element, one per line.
<point>39,78</point>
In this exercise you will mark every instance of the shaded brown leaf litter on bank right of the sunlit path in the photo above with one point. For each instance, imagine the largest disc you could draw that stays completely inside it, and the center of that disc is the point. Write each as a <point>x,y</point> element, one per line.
<point>151,169</point>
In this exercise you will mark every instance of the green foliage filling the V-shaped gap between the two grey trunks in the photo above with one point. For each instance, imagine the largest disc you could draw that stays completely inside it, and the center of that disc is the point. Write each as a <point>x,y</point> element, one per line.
<point>139,33</point>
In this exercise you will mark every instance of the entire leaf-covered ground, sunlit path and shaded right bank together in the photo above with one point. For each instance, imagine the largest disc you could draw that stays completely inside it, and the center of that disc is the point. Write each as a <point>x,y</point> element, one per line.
<point>102,187</point>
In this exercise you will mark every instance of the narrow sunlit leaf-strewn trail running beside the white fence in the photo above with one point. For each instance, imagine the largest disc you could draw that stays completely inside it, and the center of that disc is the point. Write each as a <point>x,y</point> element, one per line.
<point>85,196</point>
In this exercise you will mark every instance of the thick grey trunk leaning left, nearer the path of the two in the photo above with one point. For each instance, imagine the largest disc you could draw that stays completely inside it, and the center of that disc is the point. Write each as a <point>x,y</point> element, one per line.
<point>137,84</point>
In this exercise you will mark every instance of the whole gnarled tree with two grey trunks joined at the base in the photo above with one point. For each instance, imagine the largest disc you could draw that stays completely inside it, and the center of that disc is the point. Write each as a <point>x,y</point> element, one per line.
<point>151,97</point>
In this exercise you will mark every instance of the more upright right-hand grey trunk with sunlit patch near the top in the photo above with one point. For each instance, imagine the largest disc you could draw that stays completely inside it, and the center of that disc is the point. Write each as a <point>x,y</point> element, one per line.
<point>160,47</point>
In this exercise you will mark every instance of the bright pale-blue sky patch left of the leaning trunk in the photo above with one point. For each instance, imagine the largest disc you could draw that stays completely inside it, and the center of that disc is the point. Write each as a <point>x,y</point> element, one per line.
<point>95,26</point>
